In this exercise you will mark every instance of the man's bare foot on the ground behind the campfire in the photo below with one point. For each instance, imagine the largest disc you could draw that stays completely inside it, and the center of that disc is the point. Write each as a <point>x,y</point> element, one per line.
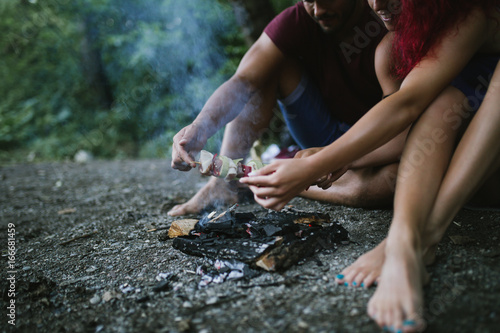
<point>216,192</point>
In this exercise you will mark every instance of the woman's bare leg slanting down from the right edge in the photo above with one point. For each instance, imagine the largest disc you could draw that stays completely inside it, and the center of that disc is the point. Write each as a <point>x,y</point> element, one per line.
<point>476,159</point>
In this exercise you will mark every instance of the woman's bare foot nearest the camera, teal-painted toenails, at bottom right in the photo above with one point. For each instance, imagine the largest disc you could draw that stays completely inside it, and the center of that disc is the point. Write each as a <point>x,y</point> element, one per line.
<point>398,301</point>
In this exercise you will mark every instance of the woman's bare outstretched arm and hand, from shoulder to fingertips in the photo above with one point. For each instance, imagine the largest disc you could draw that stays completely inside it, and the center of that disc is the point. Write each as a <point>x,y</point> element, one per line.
<point>283,180</point>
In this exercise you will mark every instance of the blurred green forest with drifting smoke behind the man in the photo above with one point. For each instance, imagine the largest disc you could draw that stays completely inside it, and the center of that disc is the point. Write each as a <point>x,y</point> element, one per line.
<point>115,78</point>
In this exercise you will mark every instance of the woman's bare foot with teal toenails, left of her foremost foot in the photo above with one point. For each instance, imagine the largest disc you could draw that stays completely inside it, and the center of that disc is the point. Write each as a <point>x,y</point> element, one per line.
<point>365,270</point>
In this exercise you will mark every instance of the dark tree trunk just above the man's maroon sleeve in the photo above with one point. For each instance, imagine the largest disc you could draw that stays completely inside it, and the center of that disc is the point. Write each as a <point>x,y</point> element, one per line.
<point>252,16</point>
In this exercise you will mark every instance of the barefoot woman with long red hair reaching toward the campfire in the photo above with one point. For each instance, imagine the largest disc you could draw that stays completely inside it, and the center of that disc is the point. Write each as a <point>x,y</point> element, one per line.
<point>438,48</point>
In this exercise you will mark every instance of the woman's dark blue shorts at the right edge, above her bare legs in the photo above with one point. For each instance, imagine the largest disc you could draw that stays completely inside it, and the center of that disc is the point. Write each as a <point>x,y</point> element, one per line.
<point>474,79</point>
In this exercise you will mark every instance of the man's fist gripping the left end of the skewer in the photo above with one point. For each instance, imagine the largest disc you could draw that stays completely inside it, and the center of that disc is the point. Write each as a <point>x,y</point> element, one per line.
<point>187,143</point>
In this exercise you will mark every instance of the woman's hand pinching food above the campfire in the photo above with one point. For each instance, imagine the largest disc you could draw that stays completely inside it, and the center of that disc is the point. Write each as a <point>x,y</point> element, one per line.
<point>277,183</point>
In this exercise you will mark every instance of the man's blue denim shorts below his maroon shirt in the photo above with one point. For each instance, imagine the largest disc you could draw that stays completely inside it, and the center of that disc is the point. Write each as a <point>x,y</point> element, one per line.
<point>309,120</point>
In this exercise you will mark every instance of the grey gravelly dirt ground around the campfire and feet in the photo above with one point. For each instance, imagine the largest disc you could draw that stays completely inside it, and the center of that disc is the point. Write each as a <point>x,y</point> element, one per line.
<point>86,260</point>
